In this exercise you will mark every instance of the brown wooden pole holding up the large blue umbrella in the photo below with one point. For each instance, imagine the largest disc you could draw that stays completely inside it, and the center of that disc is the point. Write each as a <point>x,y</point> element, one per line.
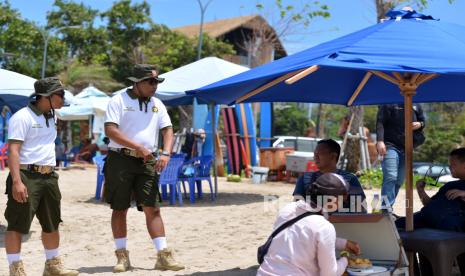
<point>408,90</point>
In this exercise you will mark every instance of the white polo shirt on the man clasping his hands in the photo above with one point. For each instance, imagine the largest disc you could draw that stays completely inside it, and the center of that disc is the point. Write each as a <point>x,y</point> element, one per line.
<point>138,125</point>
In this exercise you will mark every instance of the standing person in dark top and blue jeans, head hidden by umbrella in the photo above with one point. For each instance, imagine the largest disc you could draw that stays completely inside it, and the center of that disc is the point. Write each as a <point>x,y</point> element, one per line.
<point>390,137</point>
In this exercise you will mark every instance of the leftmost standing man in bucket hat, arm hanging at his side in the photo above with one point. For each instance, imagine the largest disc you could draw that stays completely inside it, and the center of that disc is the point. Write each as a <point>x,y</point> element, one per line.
<point>32,185</point>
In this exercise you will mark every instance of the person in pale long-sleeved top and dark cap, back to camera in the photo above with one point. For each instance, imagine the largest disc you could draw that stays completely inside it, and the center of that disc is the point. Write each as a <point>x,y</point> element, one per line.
<point>308,246</point>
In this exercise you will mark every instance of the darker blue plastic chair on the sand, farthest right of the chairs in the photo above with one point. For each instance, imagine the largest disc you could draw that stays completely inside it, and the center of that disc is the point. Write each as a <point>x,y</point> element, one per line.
<point>202,167</point>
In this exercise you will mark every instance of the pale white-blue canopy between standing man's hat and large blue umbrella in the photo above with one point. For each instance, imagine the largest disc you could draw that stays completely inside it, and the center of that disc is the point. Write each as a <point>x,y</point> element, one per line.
<point>192,76</point>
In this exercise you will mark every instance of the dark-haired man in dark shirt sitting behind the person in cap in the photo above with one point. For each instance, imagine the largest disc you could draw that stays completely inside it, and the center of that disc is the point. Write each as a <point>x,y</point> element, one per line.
<point>326,156</point>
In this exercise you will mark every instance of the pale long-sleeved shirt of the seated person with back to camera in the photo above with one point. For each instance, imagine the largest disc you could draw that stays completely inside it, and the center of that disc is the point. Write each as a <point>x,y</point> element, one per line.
<point>305,248</point>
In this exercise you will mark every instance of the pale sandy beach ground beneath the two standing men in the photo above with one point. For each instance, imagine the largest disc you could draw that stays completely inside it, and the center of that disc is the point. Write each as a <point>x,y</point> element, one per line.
<point>210,238</point>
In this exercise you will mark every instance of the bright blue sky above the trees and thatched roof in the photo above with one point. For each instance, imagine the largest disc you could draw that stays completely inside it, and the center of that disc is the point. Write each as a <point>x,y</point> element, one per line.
<point>346,15</point>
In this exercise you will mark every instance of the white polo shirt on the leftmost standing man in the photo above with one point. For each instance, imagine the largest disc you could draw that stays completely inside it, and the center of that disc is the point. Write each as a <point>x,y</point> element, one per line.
<point>28,126</point>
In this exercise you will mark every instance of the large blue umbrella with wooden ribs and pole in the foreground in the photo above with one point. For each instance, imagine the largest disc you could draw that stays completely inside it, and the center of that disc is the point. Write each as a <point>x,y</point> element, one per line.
<point>409,52</point>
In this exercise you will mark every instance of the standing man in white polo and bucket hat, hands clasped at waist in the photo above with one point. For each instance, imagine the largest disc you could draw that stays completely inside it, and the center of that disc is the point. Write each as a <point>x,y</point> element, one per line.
<point>133,121</point>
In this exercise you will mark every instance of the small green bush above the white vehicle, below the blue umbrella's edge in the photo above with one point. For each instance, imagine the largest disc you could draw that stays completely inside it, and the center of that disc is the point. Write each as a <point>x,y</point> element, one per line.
<point>290,120</point>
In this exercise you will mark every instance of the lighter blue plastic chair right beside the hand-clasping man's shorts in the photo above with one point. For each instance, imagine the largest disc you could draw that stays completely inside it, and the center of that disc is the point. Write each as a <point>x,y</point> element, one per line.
<point>169,178</point>
